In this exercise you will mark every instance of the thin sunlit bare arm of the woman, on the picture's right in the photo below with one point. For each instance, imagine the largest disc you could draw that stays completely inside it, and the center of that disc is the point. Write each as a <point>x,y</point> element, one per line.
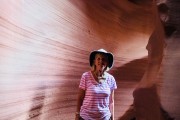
<point>111,104</point>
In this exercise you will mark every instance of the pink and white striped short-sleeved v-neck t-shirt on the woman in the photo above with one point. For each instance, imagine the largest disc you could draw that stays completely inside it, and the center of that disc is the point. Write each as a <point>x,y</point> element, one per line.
<point>96,102</point>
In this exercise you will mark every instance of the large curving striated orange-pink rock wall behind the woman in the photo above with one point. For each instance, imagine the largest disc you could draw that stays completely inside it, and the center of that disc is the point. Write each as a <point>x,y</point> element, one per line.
<point>45,46</point>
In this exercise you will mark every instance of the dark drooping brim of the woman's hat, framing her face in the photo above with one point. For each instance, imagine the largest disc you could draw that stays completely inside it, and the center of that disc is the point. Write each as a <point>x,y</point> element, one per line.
<point>109,55</point>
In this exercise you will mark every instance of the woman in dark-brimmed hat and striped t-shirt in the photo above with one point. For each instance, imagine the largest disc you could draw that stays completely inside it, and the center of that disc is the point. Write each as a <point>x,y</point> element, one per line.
<point>96,89</point>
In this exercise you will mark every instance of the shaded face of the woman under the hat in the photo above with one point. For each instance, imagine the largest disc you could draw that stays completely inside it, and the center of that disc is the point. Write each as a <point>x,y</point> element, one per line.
<point>101,62</point>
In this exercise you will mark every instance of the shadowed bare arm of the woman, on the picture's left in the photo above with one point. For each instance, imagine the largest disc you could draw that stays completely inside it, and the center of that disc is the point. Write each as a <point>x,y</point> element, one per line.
<point>80,99</point>
